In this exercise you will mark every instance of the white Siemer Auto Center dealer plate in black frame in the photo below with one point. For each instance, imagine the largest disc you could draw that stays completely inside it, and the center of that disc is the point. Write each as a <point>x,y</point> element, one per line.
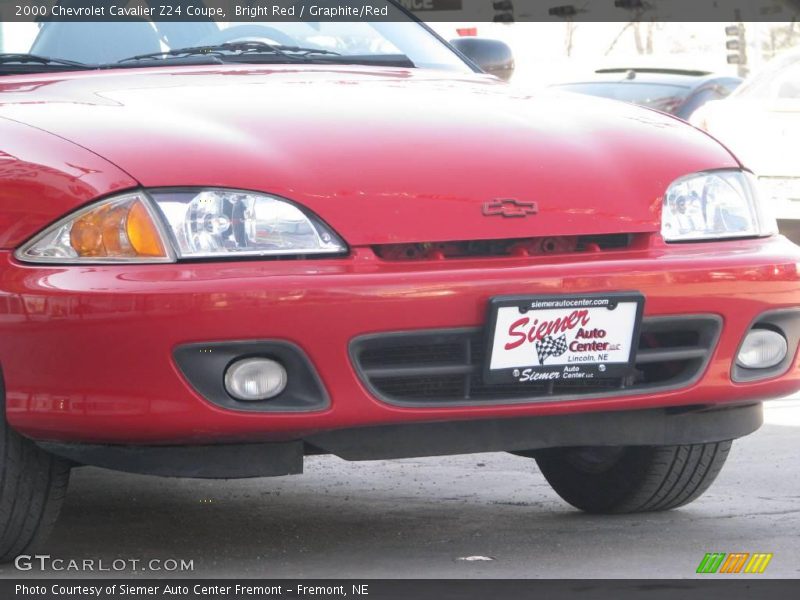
<point>553,338</point>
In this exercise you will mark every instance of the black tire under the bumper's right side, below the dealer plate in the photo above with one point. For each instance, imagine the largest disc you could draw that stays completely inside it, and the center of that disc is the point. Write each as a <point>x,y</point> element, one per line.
<point>627,479</point>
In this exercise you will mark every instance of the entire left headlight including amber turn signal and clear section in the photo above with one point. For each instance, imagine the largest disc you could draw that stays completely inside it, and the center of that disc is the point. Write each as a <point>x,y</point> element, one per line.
<point>163,225</point>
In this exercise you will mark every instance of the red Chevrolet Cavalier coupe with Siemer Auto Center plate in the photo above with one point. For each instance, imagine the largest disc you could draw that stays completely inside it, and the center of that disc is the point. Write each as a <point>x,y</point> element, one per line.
<point>288,239</point>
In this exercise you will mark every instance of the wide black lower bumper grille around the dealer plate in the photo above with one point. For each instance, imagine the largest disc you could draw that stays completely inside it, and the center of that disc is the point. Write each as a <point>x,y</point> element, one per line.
<point>438,368</point>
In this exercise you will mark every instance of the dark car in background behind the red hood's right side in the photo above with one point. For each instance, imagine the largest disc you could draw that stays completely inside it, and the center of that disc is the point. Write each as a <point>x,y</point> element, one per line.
<point>676,91</point>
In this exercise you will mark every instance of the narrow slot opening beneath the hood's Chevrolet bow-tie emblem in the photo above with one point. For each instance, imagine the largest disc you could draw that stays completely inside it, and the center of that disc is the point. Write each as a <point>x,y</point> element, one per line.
<point>537,246</point>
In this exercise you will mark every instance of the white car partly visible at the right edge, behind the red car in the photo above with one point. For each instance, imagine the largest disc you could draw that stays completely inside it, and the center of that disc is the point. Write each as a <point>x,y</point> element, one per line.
<point>760,123</point>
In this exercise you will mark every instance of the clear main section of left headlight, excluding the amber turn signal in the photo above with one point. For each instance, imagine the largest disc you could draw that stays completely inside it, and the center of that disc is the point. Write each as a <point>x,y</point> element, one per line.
<point>213,223</point>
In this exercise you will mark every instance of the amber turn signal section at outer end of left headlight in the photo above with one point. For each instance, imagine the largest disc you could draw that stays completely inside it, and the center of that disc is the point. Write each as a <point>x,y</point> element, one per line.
<point>120,229</point>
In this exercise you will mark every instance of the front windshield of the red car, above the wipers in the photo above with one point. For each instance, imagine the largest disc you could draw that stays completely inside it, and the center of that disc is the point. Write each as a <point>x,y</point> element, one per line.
<point>103,43</point>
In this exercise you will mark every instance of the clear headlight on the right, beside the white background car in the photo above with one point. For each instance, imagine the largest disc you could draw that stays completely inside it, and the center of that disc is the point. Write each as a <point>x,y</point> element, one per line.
<point>714,205</point>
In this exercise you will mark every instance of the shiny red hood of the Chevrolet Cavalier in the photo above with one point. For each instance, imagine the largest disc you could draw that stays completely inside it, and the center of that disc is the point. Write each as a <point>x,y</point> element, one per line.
<point>383,155</point>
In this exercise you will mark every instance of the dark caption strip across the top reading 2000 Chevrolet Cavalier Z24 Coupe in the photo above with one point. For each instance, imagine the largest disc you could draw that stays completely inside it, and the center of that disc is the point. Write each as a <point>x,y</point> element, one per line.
<point>465,11</point>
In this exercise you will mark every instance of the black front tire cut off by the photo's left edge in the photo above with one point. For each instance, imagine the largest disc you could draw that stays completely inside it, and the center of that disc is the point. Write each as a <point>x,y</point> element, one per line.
<point>33,484</point>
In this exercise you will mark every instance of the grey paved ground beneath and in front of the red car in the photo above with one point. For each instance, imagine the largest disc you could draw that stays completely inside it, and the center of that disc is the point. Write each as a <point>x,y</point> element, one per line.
<point>418,518</point>
